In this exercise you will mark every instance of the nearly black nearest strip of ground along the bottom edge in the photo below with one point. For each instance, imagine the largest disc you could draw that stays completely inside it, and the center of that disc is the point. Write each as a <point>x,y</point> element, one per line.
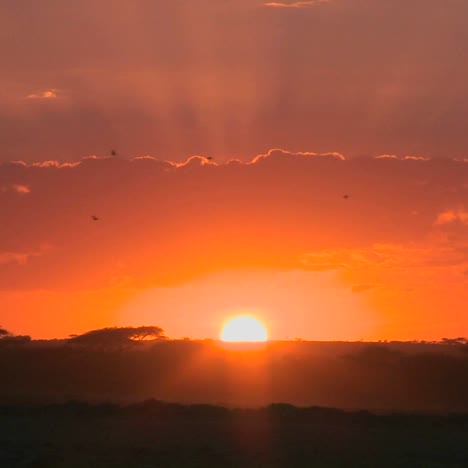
<point>157,434</point>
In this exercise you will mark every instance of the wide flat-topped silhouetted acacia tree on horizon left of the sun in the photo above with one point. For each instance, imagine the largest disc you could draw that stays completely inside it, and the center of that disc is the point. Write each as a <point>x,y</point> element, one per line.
<point>117,337</point>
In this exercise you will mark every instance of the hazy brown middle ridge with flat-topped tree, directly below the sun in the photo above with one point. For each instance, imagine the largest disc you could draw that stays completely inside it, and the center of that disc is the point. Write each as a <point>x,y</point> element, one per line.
<point>119,365</point>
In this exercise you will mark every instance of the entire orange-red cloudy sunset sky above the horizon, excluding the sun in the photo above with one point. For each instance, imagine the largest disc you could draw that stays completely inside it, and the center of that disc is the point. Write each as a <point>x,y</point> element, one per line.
<point>239,126</point>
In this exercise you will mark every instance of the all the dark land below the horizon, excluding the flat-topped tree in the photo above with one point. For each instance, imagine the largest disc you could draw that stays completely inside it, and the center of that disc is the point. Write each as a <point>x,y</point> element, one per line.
<point>399,384</point>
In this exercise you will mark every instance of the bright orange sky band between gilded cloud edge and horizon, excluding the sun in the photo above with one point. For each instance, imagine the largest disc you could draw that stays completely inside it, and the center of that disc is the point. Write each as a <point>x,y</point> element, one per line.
<point>186,246</point>
